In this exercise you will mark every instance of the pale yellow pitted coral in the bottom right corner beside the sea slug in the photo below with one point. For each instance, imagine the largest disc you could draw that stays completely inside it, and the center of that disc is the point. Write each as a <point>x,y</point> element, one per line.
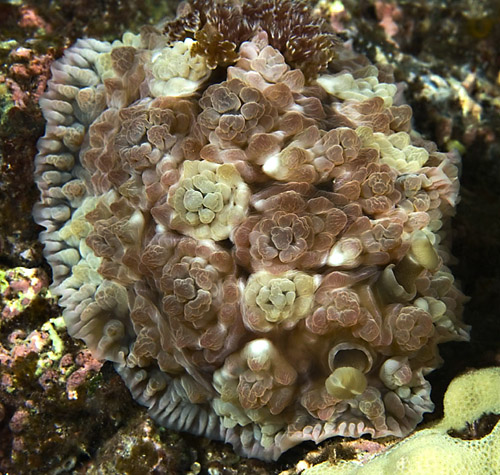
<point>432,450</point>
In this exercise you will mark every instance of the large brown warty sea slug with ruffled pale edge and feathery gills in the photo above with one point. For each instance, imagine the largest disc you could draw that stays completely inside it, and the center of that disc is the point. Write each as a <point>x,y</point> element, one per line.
<point>240,217</point>
